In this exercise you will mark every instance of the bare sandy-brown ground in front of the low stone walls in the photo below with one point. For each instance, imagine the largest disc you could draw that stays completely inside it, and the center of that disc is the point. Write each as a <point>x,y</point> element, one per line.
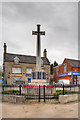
<point>41,110</point>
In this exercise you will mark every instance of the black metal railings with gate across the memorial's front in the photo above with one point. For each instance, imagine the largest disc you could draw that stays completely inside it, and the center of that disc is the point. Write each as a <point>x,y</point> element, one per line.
<point>40,93</point>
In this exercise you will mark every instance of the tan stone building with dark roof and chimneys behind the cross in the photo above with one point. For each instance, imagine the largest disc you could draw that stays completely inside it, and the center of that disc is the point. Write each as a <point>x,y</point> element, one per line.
<point>19,67</point>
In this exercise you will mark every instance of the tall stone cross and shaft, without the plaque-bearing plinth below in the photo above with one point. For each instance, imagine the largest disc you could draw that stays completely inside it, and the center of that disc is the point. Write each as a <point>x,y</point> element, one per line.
<point>38,55</point>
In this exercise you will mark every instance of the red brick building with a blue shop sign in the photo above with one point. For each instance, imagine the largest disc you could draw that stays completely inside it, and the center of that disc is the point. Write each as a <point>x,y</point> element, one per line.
<point>69,69</point>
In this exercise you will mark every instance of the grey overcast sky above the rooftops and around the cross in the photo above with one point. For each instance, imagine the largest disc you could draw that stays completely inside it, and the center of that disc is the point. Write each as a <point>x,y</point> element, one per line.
<point>58,20</point>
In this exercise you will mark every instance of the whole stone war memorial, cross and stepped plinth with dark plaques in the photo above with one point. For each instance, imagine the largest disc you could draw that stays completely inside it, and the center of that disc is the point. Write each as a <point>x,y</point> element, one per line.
<point>39,75</point>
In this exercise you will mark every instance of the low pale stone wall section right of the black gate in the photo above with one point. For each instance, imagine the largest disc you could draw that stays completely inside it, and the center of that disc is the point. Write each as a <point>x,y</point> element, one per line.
<point>68,98</point>
